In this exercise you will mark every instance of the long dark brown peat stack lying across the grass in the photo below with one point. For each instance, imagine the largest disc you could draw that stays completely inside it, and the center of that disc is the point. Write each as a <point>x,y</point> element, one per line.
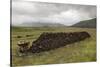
<point>49,41</point>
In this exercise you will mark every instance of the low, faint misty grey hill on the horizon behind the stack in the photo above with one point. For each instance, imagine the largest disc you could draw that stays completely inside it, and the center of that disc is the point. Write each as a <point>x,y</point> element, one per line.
<point>41,24</point>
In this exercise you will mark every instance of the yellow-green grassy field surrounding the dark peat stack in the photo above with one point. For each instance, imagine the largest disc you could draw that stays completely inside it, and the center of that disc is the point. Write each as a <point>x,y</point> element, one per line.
<point>83,51</point>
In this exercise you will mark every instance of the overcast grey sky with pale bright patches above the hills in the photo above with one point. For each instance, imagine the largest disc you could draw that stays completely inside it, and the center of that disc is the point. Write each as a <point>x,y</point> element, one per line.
<point>68,14</point>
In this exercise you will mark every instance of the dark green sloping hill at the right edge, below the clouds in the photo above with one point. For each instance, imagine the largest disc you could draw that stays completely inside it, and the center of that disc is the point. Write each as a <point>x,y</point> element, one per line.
<point>86,24</point>
